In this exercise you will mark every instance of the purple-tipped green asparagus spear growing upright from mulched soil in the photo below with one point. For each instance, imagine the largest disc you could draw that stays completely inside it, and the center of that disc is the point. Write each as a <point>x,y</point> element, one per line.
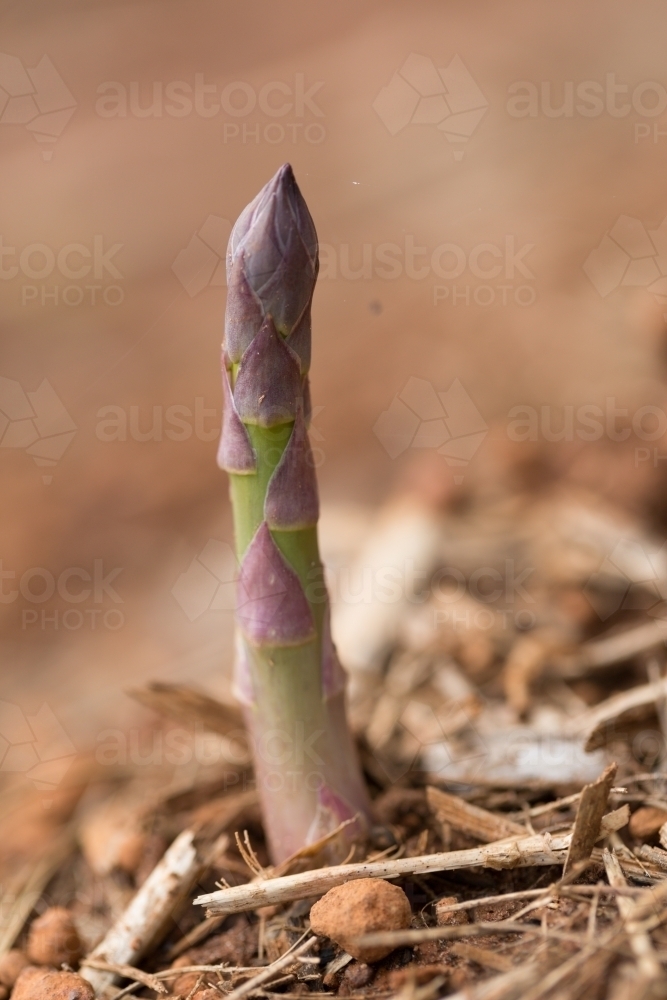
<point>287,675</point>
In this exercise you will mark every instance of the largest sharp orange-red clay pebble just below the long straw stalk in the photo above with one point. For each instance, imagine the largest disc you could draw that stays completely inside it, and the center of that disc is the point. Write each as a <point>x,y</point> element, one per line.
<point>361,906</point>
